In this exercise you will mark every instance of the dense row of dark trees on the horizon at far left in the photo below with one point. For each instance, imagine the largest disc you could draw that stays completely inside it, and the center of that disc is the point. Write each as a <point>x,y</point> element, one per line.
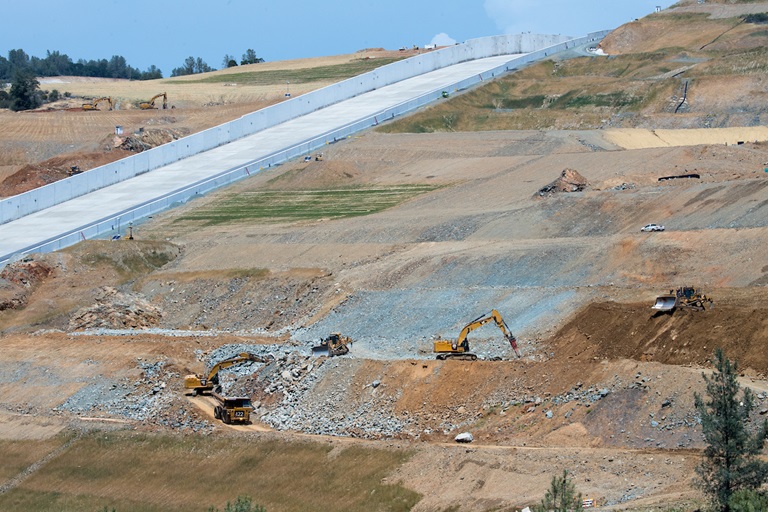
<point>60,64</point>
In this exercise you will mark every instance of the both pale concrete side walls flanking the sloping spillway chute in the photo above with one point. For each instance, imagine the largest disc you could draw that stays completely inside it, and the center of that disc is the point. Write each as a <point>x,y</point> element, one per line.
<point>117,223</point>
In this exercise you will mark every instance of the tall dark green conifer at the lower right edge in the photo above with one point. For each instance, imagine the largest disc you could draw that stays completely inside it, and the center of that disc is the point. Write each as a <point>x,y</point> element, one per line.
<point>730,459</point>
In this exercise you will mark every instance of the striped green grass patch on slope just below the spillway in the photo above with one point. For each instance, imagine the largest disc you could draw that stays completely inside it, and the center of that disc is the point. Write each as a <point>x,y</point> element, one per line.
<point>302,205</point>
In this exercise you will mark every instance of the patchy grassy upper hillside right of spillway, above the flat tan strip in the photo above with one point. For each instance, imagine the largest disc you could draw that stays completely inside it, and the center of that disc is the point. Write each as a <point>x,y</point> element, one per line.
<point>690,66</point>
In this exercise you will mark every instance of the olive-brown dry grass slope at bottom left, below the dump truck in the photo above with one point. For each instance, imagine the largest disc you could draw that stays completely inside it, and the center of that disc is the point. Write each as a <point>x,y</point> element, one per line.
<point>152,473</point>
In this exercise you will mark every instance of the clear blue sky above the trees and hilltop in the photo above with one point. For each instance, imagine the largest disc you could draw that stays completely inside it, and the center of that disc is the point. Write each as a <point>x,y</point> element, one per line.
<point>166,32</point>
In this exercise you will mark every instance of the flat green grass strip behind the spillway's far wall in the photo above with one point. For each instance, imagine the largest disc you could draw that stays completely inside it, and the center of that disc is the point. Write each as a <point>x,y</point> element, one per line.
<point>297,76</point>
